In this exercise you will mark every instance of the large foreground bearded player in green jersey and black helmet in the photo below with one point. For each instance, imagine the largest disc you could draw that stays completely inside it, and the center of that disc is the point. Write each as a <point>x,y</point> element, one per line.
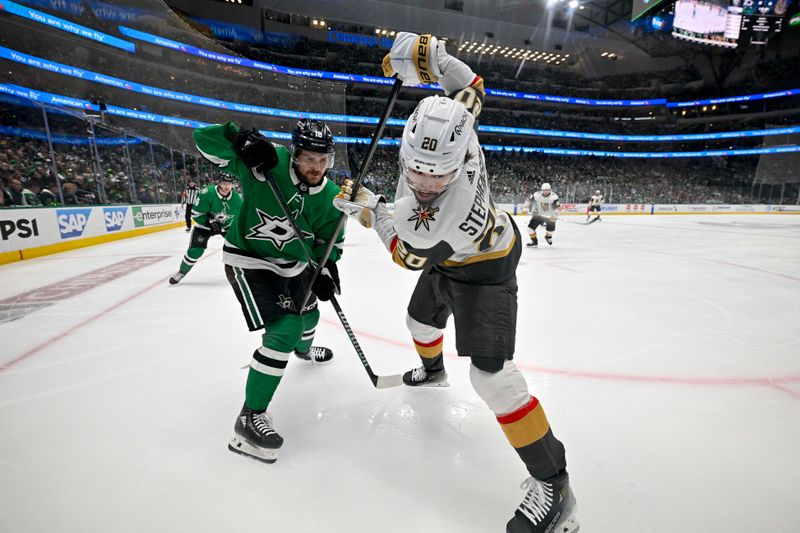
<point>265,262</point>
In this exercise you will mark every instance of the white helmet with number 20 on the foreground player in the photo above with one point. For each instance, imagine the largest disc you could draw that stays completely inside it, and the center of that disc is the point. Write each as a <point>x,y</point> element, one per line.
<point>435,139</point>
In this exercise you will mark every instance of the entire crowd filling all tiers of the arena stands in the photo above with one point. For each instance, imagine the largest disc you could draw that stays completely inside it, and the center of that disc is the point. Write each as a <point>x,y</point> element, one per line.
<point>139,175</point>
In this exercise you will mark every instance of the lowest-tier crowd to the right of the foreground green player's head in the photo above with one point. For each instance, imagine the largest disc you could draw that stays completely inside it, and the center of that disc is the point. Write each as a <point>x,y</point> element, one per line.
<point>513,177</point>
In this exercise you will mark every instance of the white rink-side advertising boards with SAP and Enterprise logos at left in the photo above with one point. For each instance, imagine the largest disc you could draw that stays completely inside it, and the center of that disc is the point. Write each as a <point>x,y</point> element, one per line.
<point>23,228</point>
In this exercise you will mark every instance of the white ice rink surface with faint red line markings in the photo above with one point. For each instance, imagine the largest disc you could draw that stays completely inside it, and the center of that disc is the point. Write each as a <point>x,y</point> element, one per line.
<point>665,351</point>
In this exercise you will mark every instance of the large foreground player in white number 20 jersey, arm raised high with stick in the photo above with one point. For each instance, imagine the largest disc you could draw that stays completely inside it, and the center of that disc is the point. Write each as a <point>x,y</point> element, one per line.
<point>446,225</point>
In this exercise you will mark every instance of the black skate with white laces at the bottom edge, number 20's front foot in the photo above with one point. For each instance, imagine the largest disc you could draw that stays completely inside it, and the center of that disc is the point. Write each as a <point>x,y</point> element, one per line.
<point>548,507</point>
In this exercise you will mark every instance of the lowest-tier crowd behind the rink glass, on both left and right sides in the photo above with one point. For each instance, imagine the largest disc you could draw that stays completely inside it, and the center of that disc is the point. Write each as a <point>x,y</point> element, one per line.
<point>26,177</point>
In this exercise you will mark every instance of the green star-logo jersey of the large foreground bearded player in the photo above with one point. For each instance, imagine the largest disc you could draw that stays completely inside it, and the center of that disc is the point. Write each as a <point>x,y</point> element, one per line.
<point>261,236</point>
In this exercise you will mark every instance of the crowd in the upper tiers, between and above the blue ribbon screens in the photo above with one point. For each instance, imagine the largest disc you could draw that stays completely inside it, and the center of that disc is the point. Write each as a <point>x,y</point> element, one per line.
<point>198,76</point>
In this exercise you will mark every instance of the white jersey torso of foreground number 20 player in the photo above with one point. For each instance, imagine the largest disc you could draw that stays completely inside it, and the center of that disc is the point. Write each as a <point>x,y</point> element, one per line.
<point>461,234</point>
